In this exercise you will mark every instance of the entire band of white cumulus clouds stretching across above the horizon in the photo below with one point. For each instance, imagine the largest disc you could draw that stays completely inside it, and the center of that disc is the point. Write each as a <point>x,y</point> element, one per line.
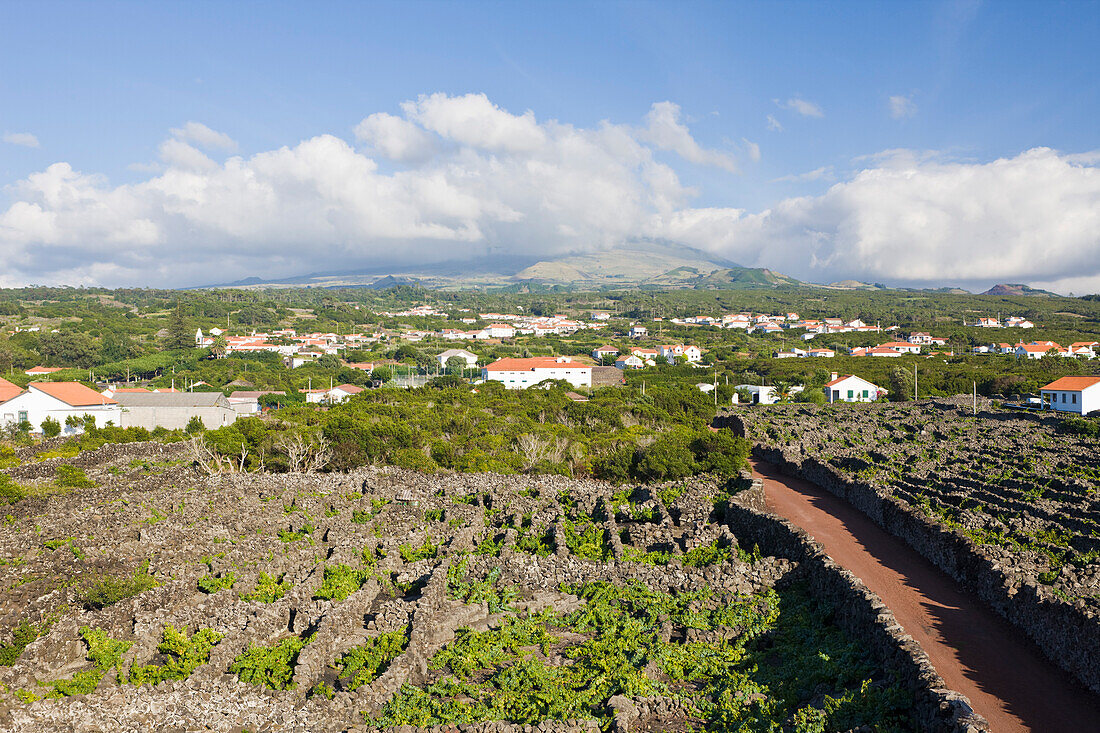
<point>464,177</point>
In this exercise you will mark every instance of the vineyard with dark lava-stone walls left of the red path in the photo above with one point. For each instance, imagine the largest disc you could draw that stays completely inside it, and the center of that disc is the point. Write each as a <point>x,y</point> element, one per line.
<point>149,596</point>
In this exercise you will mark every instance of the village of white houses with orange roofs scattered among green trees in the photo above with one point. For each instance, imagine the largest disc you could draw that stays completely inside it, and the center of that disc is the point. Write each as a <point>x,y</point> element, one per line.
<point>70,404</point>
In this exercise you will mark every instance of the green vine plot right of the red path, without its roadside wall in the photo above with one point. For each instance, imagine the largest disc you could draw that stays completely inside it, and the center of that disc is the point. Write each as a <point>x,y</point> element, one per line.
<point>1026,488</point>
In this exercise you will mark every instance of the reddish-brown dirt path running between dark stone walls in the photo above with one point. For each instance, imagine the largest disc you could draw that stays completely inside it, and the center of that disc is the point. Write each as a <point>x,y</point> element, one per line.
<point>975,651</point>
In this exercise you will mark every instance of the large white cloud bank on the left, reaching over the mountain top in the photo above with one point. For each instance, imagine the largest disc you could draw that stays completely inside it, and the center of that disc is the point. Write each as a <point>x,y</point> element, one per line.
<point>496,180</point>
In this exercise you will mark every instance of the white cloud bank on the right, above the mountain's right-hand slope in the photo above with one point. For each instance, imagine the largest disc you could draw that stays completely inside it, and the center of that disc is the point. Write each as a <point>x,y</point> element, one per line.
<point>917,220</point>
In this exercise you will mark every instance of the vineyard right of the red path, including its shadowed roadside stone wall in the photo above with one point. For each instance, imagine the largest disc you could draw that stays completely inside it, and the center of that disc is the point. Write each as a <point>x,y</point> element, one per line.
<point>1026,541</point>
